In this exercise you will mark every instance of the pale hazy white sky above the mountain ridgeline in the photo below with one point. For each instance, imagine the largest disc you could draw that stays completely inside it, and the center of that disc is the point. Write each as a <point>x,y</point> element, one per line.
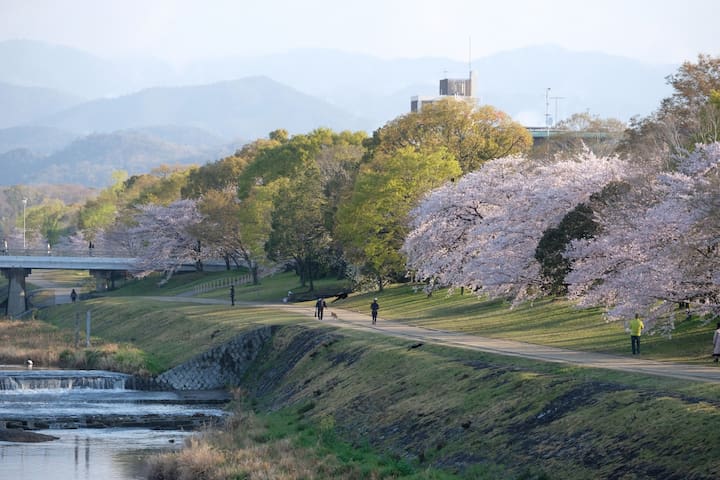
<point>656,31</point>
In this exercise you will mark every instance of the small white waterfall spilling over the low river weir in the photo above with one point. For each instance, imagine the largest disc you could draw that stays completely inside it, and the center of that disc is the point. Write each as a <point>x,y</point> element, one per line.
<point>61,380</point>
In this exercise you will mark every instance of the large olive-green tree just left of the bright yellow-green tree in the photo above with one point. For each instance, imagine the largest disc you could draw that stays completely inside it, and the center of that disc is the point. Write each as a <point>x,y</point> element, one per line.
<point>322,165</point>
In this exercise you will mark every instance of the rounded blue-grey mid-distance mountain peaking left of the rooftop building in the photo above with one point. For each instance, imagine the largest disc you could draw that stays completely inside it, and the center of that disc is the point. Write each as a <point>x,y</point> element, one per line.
<point>248,108</point>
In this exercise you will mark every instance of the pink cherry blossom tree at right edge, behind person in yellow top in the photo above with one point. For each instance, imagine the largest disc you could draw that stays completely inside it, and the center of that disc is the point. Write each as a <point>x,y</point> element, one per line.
<point>658,246</point>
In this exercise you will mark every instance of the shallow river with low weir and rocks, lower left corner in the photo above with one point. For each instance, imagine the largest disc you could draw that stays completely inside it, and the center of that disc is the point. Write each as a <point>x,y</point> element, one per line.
<point>105,430</point>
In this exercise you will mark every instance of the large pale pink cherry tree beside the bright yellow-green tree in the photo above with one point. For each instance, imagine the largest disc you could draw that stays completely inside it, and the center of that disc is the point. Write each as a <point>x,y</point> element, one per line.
<point>482,231</point>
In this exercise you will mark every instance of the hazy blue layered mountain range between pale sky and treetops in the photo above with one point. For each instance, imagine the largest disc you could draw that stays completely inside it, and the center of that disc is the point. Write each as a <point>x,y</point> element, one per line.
<point>52,98</point>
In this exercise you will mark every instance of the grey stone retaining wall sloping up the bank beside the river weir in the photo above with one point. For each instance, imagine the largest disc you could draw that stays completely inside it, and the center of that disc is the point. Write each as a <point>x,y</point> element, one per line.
<point>220,367</point>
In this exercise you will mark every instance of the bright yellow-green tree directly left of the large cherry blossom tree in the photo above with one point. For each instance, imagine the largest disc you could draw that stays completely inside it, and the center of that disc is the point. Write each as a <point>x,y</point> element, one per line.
<point>373,223</point>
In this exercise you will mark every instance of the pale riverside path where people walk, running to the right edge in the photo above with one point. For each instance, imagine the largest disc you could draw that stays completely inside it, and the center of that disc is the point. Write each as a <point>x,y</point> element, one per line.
<point>362,322</point>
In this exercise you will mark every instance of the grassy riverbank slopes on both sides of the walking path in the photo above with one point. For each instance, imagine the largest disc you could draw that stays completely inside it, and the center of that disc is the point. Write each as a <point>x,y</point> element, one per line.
<point>361,405</point>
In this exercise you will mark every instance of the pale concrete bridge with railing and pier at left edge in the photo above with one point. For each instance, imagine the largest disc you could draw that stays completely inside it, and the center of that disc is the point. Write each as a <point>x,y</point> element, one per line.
<point>16,266</point>
